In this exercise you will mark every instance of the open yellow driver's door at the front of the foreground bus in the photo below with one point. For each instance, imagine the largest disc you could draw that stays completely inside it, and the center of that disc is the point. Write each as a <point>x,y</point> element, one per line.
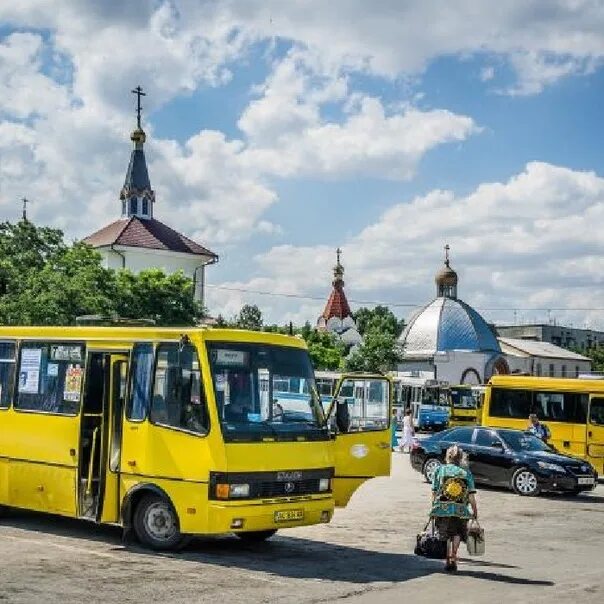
<point>361,414</point>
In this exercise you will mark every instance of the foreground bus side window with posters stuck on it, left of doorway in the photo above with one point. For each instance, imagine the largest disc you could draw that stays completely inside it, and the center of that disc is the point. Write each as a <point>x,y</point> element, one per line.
<point>49,382</point>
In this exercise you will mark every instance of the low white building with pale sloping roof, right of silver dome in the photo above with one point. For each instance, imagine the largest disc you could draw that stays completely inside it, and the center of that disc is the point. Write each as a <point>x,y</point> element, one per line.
<point>543,358</point>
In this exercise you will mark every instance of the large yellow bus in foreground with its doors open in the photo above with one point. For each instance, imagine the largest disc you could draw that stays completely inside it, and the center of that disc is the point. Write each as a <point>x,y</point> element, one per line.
<point>175,432</point>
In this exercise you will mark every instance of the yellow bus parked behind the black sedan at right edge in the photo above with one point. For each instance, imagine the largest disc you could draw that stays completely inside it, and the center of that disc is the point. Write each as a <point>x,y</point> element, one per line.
<point>572,409</point>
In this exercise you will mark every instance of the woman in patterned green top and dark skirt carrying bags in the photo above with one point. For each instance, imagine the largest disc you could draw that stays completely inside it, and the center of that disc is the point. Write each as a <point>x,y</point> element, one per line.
<point>453,494</point>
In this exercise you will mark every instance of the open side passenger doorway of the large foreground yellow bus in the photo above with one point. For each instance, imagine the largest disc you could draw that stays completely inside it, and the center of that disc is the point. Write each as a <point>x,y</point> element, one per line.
<point>105,380</point>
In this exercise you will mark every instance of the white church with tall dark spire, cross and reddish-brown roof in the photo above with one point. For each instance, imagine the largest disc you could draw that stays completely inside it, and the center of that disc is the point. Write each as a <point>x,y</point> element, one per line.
<point>137,240</point>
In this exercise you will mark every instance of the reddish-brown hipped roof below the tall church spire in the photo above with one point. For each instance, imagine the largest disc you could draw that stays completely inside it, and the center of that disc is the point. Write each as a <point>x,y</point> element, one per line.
<point>146,233</point>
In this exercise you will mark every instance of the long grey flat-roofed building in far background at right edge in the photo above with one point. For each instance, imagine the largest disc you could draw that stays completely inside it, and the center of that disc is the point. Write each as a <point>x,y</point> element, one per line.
<point>567,337</point>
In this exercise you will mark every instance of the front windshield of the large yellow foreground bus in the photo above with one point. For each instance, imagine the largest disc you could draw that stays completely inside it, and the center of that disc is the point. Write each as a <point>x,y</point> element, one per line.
<point>265,392</point>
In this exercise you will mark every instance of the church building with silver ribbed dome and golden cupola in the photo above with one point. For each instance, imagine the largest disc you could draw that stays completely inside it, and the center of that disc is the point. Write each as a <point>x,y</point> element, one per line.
<point>448,340</point>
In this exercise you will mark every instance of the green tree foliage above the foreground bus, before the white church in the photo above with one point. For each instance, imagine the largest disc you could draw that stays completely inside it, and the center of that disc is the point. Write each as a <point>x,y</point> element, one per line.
<point>44,281</point>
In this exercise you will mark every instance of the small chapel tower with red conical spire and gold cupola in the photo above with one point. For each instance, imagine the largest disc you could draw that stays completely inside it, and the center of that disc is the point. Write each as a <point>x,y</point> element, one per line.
<point>337,317</point>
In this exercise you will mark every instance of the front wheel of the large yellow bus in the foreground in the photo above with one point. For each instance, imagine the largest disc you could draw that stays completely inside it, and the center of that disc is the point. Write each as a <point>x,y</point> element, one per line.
<point>156,523</point>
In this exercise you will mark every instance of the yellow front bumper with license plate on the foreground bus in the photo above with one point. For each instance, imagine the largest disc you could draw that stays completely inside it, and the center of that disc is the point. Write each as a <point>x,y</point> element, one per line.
<point>242,516</point>
